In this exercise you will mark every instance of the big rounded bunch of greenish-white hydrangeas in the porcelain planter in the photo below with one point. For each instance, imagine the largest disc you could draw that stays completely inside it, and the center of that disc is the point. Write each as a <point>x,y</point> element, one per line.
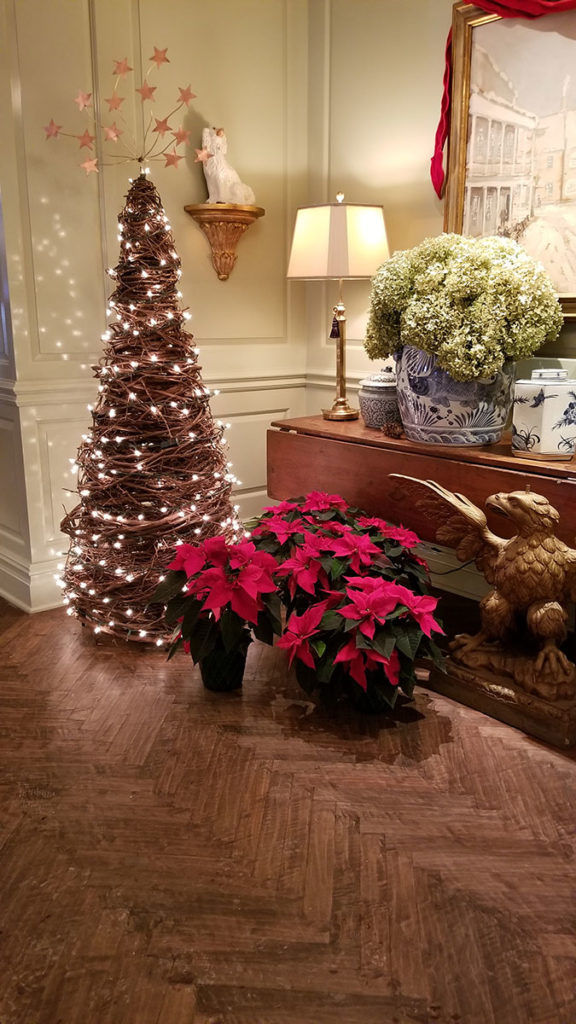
<point>475,304</point>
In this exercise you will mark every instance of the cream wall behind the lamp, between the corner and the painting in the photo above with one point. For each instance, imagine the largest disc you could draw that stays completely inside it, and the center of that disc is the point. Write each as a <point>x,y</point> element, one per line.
<point>377,72</point>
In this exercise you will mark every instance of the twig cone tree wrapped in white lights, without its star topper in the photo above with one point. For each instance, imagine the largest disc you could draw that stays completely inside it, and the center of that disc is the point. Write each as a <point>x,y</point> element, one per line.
<point>153,472</point>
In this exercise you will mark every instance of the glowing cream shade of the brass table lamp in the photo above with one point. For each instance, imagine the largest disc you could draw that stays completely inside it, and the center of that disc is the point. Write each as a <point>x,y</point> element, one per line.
<point>338,241</point>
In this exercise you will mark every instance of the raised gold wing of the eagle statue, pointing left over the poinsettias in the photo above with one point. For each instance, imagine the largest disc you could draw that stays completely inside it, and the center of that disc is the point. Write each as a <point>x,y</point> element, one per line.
<point>461,524</point>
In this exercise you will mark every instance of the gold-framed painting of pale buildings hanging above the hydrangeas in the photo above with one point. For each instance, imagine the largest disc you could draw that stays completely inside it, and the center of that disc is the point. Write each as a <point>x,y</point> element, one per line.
<point>512,159</point>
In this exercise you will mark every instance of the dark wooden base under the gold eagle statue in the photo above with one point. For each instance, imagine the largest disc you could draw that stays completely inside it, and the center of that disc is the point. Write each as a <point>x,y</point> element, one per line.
<point>502,699</point>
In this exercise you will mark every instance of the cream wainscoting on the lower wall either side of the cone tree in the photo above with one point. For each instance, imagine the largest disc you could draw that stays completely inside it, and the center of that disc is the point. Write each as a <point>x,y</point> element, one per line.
<point>53,423</point>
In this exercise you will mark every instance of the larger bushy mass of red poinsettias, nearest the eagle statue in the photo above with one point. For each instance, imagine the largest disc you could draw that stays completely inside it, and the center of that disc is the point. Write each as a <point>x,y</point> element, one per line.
<point>359,612</point>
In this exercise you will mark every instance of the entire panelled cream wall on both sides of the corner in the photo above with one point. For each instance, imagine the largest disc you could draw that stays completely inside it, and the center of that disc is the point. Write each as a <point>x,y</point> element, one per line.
<point>316,97</point>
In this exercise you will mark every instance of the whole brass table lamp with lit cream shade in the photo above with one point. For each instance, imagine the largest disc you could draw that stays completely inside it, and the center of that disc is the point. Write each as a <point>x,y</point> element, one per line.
<point>339,242</point>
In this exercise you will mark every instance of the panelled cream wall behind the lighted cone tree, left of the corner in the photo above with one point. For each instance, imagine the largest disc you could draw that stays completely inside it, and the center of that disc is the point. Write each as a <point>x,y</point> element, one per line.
<point>246,61</point>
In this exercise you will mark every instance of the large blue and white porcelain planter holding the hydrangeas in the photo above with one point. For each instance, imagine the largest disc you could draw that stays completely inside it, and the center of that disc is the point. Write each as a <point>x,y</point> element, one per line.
<point>438,410</point>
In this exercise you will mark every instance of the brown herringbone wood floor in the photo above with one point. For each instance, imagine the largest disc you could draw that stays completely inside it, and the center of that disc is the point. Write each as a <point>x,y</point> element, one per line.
<point>171,857</point>
